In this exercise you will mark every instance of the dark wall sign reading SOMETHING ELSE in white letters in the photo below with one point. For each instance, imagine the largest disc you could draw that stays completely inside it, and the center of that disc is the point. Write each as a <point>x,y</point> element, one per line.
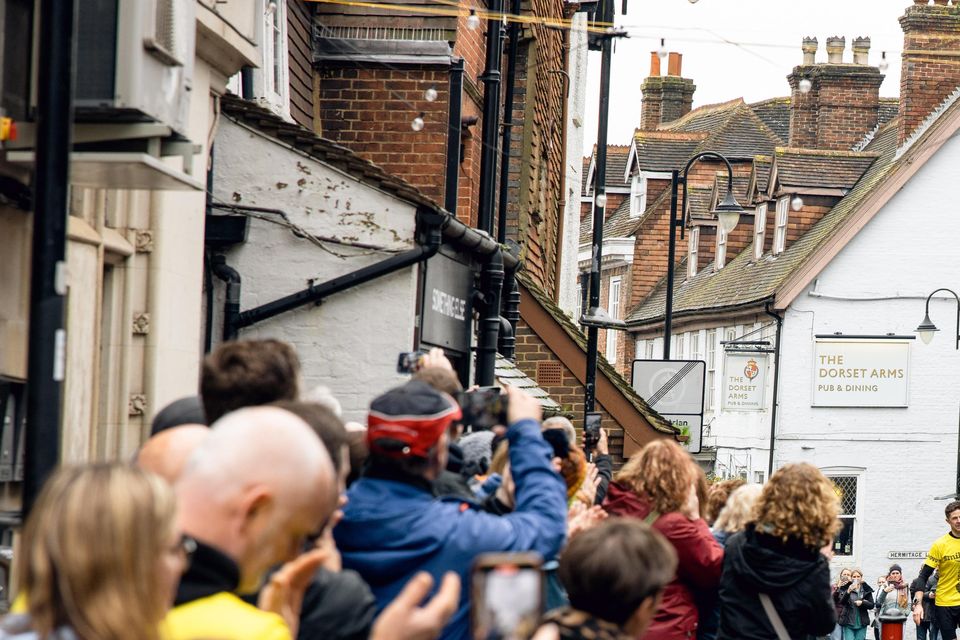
<point>446,312</point>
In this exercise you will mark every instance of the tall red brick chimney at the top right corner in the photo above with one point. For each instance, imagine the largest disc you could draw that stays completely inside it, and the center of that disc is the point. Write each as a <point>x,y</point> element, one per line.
<point>930,70</point>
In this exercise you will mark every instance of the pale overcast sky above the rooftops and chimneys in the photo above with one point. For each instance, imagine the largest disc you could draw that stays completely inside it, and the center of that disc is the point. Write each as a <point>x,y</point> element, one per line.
<point>767,33</point>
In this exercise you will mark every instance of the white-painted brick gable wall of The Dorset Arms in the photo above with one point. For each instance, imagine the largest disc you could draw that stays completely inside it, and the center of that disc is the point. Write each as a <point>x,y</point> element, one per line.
<point>904,457</point>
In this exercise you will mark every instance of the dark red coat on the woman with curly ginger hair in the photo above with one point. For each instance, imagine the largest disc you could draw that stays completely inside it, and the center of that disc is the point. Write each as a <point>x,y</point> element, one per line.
<point>699,561</point>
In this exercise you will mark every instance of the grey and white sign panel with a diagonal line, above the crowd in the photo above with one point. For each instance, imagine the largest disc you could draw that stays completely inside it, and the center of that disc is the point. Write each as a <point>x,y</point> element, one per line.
<point>674,389</point>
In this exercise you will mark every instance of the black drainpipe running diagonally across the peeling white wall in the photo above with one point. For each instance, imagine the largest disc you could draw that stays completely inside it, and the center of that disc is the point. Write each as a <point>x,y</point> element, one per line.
<point>316,293</point>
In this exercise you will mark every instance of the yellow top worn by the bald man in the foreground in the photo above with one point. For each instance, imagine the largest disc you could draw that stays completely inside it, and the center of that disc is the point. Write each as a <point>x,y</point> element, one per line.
<point>222,616</point>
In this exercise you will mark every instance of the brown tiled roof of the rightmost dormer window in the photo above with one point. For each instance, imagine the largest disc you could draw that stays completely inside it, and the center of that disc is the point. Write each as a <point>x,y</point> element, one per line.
<point>813,168</point>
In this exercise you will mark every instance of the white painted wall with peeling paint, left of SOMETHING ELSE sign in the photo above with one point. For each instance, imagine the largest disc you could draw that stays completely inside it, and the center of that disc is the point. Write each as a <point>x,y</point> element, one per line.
<point>350,342</point>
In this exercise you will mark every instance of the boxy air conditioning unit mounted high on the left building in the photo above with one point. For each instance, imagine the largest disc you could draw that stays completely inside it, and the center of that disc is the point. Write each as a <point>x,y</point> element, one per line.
<point>135,61</point>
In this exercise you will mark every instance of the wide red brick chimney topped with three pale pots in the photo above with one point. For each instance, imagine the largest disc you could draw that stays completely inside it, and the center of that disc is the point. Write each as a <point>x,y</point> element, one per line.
<point>834,105</point>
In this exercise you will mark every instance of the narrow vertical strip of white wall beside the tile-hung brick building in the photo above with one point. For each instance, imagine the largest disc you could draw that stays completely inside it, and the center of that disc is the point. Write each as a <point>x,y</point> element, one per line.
<point>576,105</point>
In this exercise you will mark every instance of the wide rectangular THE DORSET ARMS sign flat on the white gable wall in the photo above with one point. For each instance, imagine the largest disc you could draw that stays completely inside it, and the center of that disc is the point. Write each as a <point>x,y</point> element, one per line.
<point>852,371</point>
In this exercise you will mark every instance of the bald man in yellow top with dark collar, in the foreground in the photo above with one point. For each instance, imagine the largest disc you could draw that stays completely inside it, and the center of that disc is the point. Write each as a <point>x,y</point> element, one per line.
<point>252,493</point>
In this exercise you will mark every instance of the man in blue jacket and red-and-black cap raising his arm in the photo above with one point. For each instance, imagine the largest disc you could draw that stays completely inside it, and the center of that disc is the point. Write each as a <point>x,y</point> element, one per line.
<point>393,526</point>
